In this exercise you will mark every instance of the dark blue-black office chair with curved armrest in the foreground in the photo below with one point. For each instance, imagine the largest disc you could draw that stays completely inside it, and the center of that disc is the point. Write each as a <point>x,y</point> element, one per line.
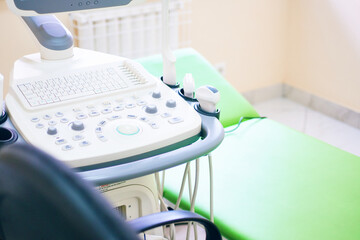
<point>42,199</point>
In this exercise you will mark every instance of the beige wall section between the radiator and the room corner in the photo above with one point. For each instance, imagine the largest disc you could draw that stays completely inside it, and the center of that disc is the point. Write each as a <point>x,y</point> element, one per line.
<point>248,35</point>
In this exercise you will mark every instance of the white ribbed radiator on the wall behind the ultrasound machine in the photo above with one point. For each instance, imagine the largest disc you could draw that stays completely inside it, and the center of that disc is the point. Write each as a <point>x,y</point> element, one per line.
<point>131,31</point>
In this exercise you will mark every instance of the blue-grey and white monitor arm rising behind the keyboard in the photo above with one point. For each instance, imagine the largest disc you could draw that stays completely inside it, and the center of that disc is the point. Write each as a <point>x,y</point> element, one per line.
<point>55,40</point>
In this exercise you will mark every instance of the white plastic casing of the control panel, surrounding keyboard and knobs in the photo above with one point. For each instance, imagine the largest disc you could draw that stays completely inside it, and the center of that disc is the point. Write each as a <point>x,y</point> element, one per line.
<point>169,125</point>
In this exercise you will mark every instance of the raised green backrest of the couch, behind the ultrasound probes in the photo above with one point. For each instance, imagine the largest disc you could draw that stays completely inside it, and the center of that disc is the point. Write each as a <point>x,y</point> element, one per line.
<point>232,104</point>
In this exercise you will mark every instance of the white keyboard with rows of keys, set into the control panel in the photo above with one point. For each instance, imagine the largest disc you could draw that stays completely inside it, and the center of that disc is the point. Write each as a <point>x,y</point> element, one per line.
<point>72,86</point>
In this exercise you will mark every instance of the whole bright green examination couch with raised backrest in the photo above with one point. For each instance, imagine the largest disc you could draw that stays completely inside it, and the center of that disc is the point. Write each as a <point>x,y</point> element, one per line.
<point>270,181</point>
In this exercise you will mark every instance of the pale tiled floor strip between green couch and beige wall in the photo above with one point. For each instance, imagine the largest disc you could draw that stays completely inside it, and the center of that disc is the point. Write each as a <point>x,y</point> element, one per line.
<point>312,123</point>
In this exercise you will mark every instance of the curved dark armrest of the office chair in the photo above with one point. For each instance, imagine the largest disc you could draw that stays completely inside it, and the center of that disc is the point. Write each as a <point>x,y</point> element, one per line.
<point>145,223</point>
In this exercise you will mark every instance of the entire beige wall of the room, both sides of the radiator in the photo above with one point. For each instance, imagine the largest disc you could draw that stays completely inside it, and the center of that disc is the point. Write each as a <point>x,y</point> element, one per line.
<point>310,44</point>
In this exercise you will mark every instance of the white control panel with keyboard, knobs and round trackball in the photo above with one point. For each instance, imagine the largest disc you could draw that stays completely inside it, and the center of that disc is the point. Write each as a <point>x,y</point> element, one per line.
<point>97,113</point>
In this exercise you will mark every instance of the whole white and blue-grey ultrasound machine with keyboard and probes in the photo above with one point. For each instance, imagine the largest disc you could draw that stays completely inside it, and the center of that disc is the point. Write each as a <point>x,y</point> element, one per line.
<point>104,115</point>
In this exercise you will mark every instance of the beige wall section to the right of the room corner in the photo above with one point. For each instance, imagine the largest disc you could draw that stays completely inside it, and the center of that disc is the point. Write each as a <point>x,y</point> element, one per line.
<point>324,50</point>
